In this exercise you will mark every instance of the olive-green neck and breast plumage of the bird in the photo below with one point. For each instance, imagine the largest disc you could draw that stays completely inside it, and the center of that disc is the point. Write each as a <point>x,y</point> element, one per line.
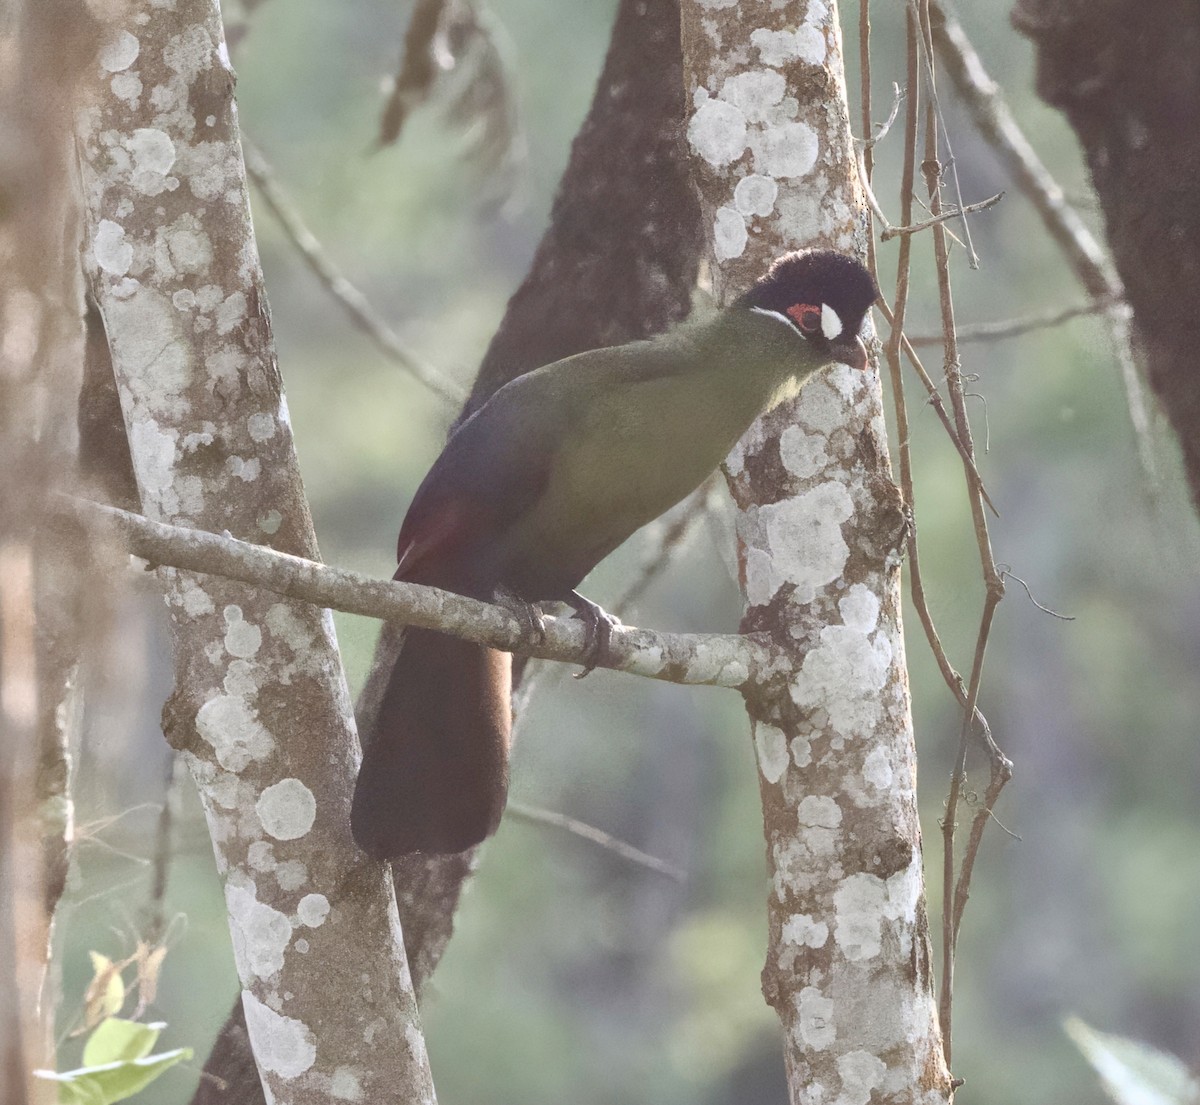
<point>645,427</point>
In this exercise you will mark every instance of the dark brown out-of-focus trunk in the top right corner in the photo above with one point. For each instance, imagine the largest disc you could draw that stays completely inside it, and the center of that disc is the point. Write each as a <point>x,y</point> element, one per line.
<point>1127,77</point>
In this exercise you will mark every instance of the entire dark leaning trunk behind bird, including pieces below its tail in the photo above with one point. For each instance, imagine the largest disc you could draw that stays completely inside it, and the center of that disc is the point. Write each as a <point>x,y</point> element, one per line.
<point>617,263</point>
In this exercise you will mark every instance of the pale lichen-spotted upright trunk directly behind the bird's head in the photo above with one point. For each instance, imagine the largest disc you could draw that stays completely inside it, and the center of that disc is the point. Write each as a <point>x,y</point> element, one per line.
<point>819,525</point>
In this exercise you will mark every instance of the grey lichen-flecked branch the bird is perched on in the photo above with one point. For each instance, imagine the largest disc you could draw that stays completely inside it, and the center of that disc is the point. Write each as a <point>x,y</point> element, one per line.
<point>706,659</point>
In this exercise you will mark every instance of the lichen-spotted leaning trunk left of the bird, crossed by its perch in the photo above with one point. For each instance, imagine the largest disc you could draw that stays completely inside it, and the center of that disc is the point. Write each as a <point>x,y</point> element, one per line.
<point>261,708</point>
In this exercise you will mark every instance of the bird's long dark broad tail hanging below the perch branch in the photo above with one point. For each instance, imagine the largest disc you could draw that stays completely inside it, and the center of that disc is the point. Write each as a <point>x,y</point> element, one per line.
<point>435,774</point>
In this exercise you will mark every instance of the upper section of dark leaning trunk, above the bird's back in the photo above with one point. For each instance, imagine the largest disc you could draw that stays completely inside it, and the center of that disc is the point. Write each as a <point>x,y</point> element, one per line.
<point>620,259</point>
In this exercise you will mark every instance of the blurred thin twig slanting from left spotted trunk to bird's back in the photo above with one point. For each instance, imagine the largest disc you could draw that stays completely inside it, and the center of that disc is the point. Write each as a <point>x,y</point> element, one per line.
<point>353,302</point>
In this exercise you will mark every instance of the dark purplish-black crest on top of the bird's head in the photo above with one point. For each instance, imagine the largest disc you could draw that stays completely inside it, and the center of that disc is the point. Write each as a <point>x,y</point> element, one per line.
<point>817,278</point>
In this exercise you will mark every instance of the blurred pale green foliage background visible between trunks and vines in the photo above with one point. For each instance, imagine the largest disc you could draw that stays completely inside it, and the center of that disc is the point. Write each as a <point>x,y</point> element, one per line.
<point>575,976</point>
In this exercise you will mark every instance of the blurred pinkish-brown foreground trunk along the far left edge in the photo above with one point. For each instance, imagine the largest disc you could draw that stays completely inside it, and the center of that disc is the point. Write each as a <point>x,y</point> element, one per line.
<point>46,46</point>
